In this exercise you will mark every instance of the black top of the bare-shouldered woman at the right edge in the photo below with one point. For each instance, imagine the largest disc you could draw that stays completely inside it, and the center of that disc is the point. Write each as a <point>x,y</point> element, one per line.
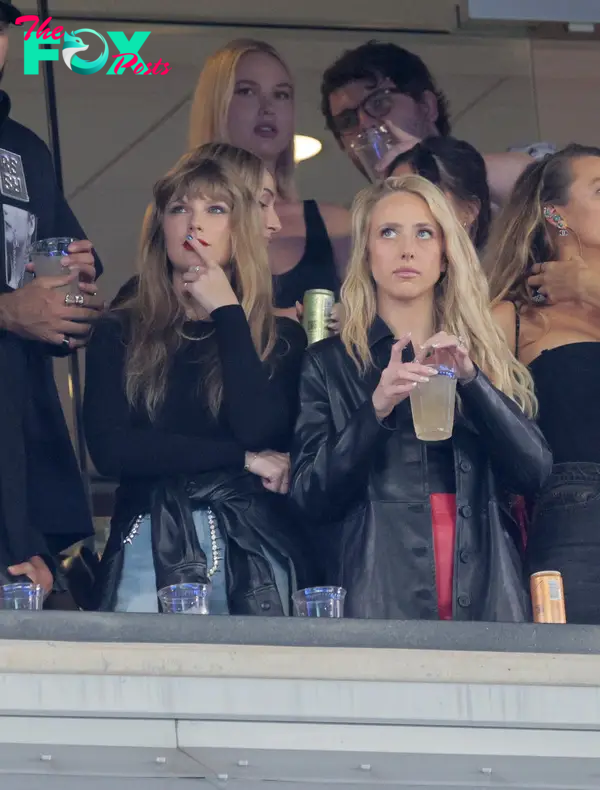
<point>567,385</point>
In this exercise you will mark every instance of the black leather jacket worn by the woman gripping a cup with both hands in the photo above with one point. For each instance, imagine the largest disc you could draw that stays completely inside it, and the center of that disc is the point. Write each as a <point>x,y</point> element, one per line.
<point>363,486</point>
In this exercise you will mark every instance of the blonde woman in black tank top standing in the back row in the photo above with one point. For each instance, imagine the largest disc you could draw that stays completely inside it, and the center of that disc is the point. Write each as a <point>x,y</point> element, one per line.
<point>248,83</point>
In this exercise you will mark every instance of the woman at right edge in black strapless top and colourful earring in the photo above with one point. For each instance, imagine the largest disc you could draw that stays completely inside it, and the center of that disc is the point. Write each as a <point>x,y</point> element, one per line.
<point>543,261</point>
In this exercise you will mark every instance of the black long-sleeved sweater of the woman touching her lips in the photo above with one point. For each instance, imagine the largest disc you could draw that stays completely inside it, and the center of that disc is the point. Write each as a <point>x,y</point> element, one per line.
<point>258,410</point>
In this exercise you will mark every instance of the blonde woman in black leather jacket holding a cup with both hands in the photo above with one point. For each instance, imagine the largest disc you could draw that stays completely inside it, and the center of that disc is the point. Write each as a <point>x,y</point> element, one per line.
<point>415,529</point>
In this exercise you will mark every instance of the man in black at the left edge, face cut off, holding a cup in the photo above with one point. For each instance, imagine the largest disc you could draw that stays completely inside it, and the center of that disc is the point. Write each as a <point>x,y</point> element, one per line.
<point>43,507</point>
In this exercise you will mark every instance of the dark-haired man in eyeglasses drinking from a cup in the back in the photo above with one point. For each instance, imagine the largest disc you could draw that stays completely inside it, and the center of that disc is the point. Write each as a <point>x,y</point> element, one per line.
<point>384,83</point>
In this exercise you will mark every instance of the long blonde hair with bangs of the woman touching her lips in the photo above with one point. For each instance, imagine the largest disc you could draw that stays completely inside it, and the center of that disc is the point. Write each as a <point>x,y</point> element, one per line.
<point>154,313</point>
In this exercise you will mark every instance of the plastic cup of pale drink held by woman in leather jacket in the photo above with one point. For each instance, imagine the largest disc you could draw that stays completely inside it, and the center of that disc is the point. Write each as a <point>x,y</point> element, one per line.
<point>432,402</point>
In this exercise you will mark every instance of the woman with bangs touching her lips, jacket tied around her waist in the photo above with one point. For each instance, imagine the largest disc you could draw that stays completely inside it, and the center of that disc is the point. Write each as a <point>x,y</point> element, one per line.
<point>191,396</point>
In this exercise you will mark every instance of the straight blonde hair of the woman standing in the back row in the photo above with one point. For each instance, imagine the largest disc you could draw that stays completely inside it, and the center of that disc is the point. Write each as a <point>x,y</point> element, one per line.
<point>210,106</point>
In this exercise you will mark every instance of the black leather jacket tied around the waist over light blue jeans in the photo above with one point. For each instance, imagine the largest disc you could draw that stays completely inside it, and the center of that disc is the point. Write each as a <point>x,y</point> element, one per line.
<point>248,516</point>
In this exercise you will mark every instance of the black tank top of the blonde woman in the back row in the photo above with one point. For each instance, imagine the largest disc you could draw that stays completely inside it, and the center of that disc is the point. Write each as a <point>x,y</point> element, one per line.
<point>316,268</point>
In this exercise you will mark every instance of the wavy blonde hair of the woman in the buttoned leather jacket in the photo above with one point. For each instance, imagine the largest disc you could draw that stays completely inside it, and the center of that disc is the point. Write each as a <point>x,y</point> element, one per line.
<point>461,301</point>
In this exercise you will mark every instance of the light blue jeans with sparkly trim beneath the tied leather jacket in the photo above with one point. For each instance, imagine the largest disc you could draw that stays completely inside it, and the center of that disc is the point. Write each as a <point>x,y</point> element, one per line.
<point>137,588</point>
